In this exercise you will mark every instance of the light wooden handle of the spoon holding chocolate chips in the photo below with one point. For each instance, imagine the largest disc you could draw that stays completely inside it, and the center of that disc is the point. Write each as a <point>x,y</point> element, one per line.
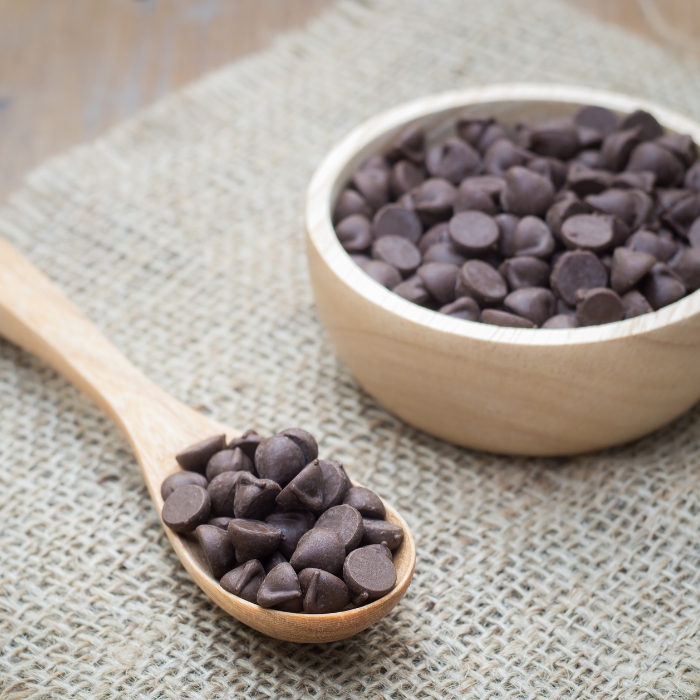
<point>35,315</point>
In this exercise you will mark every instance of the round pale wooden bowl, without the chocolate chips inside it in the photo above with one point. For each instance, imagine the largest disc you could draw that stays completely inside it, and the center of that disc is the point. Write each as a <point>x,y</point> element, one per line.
<point>504,390</point>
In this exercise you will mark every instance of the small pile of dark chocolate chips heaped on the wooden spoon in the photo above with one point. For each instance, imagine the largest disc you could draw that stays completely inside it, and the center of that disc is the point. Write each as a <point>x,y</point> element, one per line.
<point>280,527</point>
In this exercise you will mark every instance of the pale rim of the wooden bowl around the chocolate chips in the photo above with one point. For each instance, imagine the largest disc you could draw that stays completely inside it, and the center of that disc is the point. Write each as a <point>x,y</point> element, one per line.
<point>321,233</point>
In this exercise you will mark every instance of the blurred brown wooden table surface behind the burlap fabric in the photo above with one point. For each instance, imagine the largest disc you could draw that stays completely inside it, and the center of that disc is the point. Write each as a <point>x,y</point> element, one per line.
<point>70,69</point>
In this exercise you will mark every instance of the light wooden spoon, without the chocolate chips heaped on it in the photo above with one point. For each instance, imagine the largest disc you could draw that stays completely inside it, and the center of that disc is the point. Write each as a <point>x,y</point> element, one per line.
<point>35,315</point>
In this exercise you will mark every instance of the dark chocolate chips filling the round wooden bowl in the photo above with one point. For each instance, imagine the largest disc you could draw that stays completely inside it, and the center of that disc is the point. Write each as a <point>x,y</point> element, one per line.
<point>574,222</point>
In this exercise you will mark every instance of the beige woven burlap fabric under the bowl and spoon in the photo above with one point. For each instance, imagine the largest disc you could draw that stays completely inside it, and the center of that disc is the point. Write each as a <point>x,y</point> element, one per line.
<point>181,235</point>
